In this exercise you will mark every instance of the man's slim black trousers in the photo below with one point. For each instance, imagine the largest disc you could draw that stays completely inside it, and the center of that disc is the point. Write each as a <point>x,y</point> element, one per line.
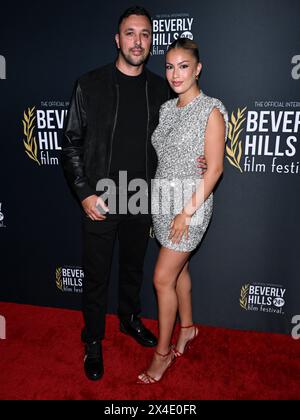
<point>98,241</point>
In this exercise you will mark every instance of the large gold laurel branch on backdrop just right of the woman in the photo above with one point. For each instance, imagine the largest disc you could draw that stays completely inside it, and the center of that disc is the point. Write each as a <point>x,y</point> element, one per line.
<point>234,149</point>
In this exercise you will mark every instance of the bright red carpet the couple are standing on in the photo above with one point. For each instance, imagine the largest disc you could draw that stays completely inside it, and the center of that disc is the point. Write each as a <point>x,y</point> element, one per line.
<point>42,359</point>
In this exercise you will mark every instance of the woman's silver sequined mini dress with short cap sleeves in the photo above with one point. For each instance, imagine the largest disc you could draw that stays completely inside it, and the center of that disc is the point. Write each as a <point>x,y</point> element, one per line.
<point>178,141</point>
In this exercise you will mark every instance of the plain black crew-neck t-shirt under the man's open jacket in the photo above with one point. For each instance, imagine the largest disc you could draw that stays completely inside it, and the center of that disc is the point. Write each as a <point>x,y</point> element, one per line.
<point>129,142</point>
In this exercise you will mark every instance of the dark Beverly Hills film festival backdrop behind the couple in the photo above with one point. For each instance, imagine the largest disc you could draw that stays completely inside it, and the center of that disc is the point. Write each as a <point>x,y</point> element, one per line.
<point>246,271</point>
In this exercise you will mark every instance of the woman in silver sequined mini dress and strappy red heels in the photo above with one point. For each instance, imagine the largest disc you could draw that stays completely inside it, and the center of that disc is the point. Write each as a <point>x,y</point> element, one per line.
<point>182,201</point>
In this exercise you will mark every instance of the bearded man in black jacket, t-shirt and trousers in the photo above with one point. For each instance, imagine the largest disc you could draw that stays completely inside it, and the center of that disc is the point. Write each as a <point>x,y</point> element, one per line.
<point>112,115</point>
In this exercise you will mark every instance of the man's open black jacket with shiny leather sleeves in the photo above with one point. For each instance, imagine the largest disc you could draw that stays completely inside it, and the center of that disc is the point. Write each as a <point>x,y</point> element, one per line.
<point>90,127</point>
